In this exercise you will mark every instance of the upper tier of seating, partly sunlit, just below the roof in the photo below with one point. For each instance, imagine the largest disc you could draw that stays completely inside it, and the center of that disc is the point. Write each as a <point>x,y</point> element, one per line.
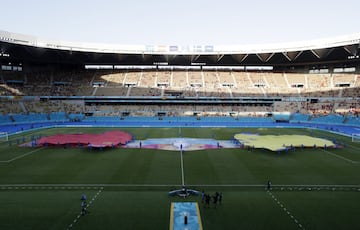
<point>205,83</point>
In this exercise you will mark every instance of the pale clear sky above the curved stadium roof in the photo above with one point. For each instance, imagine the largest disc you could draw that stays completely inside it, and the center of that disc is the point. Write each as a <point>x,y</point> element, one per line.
<point>181,22</point>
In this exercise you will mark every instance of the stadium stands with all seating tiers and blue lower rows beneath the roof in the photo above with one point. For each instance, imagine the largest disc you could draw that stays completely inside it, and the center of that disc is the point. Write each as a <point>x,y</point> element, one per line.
<point>221,88</point>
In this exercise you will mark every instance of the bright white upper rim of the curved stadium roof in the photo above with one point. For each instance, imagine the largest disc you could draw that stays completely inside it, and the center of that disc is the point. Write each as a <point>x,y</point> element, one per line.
<point>175,49</point>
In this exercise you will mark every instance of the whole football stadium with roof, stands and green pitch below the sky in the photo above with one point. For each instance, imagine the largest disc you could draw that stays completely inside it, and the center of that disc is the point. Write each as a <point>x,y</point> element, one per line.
<point>274,129</point>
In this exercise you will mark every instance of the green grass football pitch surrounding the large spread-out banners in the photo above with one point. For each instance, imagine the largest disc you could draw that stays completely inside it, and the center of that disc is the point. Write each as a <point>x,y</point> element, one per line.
<point>127,188</point>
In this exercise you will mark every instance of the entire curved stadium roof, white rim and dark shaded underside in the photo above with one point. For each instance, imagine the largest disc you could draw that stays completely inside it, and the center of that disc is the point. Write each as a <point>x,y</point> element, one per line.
<point>332,50</point>
